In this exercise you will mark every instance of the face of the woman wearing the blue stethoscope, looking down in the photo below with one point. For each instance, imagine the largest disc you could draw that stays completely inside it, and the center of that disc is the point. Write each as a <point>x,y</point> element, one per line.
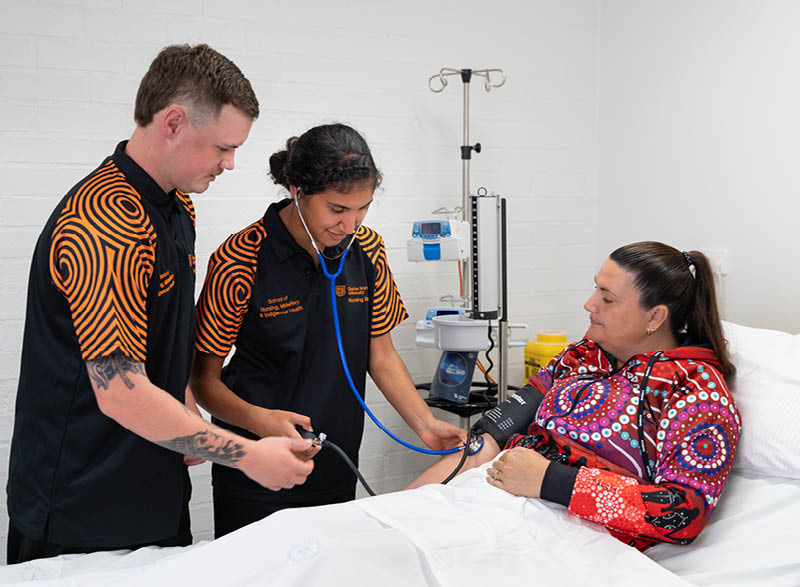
<point>331,216</point>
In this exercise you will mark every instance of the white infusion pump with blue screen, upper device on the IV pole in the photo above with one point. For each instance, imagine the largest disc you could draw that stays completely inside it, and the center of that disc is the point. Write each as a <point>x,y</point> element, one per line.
<point>438,240</point>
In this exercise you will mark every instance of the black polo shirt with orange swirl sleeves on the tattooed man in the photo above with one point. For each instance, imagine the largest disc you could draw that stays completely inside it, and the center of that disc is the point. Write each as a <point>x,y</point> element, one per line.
<point>113,271</point>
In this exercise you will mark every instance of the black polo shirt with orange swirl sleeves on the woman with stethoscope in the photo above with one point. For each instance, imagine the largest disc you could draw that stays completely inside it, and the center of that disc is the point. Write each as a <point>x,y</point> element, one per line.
<point>264,294</point>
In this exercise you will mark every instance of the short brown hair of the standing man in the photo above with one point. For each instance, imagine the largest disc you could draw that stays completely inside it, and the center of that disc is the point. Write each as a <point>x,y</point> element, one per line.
<point>198,76</point>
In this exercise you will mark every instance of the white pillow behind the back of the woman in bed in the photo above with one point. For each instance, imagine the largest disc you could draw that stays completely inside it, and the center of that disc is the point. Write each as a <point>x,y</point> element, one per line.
<point>767,392</point>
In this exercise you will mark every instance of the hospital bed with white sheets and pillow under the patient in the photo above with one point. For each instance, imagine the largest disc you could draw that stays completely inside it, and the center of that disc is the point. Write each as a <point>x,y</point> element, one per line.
<point>470,533</point>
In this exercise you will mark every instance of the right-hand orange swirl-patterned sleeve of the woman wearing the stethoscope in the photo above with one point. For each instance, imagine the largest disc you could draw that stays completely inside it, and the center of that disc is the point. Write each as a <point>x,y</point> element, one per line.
<point>387,306</point>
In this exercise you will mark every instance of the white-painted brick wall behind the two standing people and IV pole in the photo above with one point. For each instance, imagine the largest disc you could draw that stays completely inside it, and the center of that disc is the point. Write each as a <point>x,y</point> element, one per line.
<point>69,70</point>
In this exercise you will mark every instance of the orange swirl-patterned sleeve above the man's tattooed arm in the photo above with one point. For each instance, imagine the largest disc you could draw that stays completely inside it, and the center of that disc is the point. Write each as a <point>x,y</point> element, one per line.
<point>102,255</point>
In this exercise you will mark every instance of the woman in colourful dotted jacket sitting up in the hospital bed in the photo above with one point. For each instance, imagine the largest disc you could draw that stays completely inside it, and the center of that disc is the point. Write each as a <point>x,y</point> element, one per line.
<point>635,427</point>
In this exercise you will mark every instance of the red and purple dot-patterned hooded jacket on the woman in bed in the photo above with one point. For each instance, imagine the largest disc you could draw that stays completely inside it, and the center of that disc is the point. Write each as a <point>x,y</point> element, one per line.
<point>658,482</point>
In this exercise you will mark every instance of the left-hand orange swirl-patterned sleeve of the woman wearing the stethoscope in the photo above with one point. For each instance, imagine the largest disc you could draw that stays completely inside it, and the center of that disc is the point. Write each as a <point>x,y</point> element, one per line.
<point>227,290</point>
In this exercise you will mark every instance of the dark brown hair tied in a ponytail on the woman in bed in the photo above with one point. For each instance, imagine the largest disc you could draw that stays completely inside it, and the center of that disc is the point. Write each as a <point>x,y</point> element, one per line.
<point>684,282</point>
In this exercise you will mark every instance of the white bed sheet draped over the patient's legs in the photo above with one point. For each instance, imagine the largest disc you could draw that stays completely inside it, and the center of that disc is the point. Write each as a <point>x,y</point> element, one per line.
<point>468,533</point>
